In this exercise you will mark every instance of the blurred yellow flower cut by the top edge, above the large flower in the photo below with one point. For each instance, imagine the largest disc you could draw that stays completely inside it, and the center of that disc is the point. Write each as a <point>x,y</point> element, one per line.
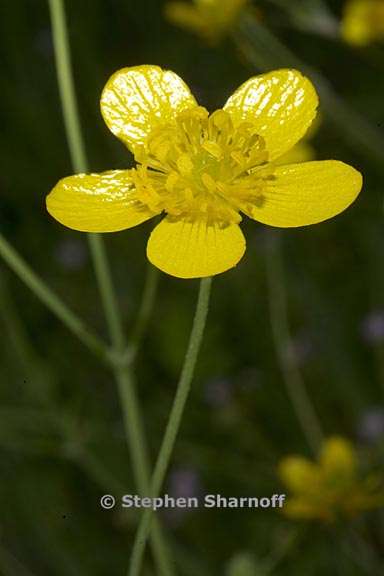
<point>210,19</point>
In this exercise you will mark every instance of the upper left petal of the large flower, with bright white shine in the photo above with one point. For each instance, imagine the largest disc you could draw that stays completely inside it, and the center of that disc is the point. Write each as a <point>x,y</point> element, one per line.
<point>137,100</point>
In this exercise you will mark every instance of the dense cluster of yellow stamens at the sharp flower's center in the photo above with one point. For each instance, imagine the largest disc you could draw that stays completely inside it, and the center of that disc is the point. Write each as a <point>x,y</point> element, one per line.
<point>202,166</point>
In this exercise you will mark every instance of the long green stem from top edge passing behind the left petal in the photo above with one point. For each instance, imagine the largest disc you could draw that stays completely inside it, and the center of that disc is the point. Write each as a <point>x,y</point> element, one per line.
<point>126,386</point>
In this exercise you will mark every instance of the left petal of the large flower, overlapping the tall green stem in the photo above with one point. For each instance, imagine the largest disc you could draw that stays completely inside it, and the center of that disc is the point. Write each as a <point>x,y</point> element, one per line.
<point>97,202</point>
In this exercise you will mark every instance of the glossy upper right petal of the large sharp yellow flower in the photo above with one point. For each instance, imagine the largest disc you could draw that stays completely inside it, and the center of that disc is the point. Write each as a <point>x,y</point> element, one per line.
<point>281,105</point>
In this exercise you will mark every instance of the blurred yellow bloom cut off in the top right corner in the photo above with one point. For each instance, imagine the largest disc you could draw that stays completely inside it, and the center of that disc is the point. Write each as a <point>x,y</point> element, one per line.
<point>363,21</point>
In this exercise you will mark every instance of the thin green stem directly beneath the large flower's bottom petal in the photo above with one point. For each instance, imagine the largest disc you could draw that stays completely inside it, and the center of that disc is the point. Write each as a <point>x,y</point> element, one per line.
<point>173,424</point>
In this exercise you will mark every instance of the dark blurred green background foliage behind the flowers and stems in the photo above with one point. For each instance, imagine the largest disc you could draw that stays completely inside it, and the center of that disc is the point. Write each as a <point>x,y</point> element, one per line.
<point>61,437</point>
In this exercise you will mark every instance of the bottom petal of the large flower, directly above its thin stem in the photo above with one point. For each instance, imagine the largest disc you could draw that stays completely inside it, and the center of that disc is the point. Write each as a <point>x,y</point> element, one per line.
<point>194,249</point>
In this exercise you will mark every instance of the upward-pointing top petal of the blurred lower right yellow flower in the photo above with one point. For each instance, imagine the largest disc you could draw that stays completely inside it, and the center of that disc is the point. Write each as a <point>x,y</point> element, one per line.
<point>338,459</point>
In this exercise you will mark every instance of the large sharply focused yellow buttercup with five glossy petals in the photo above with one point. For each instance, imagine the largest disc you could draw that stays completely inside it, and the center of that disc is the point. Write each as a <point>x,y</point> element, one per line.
<point>203,170</point>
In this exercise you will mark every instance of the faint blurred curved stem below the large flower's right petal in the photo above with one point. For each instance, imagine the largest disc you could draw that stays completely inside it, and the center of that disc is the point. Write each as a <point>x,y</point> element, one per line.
<point>292,377</point>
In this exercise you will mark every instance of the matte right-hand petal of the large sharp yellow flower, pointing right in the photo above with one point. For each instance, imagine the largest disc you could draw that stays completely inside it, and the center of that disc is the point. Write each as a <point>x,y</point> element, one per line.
<point>303,194</point>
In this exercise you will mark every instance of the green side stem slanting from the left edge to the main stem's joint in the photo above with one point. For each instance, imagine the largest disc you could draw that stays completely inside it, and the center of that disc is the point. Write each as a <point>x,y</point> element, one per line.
<point>51,301</point>
